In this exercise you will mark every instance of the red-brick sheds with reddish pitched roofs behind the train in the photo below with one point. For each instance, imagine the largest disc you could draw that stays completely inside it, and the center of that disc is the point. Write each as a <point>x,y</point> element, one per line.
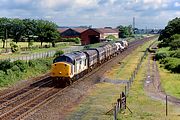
<point>89,35</point>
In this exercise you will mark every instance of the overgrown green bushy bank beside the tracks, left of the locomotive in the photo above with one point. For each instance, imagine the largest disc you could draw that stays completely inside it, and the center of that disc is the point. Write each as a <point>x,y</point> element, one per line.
<point>10,73</point>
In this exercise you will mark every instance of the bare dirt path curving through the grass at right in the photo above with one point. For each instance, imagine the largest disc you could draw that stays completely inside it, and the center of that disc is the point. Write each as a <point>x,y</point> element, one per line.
<point>152,84</point>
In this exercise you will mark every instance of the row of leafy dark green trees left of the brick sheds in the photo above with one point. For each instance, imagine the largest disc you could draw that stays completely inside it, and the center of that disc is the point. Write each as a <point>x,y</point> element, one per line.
<point>28,29</point>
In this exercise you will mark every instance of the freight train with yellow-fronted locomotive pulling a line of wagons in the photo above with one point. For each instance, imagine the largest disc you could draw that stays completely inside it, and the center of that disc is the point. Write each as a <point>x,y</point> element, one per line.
<point>69,67</point>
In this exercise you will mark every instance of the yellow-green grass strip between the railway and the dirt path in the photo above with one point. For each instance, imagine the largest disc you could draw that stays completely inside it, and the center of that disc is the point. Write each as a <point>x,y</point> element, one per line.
<point>101,98</point>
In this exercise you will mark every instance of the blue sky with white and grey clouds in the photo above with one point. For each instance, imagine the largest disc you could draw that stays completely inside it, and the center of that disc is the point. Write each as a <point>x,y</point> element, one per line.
<point>98,13</point>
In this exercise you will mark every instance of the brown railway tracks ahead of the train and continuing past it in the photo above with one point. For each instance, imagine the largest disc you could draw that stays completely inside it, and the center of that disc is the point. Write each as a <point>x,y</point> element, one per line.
<point>20,103</point>
